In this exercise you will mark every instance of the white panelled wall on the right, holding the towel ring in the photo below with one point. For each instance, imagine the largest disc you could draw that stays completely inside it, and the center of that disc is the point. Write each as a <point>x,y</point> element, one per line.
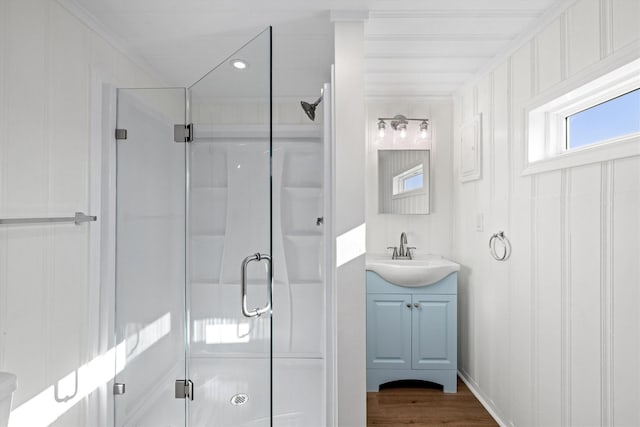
<point>551,337</point>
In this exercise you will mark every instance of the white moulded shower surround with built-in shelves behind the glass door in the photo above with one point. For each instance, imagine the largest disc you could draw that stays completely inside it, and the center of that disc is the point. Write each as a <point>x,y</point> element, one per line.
<point>220,197</point>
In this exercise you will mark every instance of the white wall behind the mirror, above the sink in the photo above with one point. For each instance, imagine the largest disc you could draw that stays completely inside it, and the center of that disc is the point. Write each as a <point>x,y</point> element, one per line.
<point>428,233</point>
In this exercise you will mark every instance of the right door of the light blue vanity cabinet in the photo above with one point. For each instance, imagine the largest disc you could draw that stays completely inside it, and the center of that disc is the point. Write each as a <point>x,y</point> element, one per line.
<point>434,332</point>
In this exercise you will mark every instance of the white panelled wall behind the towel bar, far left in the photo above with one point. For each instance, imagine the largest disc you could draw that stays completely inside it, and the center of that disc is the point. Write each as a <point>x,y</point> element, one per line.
<point>46,59</point>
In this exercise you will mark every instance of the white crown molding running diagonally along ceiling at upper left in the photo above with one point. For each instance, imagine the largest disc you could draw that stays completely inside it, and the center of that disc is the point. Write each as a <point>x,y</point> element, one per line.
<point>88,19</point>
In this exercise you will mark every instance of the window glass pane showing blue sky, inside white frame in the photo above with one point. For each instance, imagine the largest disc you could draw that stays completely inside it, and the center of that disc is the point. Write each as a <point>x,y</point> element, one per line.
<point>611,119</point>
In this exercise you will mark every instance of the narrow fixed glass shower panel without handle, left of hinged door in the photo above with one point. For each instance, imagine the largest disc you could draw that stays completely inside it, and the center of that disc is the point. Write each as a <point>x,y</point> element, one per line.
<point>150,258</point>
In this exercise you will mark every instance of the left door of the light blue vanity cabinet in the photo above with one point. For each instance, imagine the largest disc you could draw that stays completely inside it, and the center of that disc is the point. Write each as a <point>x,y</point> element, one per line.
<point>389,331</point>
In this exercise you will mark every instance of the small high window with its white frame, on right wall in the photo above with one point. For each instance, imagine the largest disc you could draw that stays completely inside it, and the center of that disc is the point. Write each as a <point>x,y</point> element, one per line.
<point>592,116</point>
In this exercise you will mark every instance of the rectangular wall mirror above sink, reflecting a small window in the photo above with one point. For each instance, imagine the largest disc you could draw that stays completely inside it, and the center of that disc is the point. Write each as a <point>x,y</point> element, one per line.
<point>403,181</point>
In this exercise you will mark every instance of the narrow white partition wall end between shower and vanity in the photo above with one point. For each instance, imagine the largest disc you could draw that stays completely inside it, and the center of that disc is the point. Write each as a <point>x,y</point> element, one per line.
<point>349,214</point>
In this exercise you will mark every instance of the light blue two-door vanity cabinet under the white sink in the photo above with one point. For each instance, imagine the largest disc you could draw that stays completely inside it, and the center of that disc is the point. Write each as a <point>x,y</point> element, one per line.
<point>412,332</point>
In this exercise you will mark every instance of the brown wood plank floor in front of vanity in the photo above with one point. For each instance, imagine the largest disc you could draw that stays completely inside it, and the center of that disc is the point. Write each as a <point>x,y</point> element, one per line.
<point>411,403</point>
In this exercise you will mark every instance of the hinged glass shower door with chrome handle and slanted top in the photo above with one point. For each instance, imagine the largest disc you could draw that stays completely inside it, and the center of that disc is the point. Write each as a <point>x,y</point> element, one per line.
<point>229,291</point>
